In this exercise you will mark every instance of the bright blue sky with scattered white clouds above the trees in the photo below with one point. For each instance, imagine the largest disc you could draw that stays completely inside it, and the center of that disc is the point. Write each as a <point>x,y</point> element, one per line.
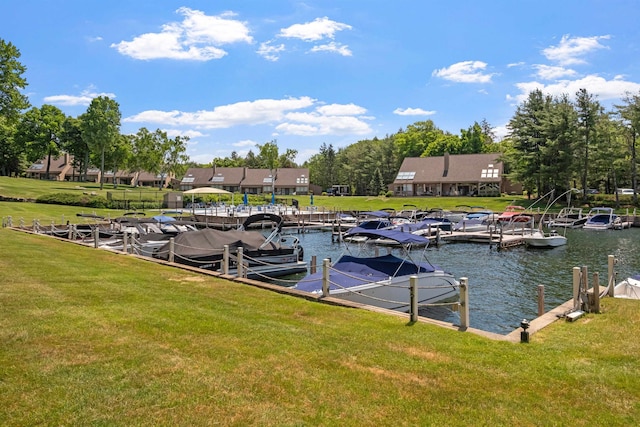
<point>233,74</point>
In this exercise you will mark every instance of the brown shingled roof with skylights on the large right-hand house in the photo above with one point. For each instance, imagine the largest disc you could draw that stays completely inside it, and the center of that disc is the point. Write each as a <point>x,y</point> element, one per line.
<point>461,168</point>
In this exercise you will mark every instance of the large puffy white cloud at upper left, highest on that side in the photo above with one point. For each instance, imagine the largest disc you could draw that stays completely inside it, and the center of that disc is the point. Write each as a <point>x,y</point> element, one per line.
<point>198,37</point>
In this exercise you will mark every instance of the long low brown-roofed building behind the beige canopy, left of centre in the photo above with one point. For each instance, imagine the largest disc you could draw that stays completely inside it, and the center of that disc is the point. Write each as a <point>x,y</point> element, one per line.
<point>285,181</point>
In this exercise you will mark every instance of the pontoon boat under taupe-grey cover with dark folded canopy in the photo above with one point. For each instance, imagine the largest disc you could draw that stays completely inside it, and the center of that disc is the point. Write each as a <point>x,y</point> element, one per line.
<point>265,257</point>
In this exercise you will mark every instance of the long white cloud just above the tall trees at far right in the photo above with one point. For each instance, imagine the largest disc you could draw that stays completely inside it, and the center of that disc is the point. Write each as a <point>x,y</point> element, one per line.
<point>595,85</point>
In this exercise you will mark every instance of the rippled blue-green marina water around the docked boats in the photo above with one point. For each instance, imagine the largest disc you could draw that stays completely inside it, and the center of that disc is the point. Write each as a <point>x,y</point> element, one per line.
<point>503,284</point>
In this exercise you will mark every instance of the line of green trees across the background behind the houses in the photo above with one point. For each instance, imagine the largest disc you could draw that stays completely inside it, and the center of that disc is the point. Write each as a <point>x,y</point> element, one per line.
<point>553,143</point>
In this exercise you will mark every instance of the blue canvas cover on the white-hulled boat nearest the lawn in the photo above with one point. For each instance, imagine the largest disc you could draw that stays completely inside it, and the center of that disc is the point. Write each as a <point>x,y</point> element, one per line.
<point>350,271</point>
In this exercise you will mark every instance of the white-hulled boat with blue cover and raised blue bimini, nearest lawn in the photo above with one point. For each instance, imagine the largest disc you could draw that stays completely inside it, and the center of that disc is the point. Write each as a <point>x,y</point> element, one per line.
<point>384,281</point>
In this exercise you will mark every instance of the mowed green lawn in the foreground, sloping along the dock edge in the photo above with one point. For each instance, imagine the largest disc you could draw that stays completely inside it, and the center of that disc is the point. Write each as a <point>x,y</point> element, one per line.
<point>89,337</point>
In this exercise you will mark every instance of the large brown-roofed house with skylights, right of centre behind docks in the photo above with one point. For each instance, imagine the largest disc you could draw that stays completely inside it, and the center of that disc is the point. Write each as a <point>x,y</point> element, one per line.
<point>451,175</point>
